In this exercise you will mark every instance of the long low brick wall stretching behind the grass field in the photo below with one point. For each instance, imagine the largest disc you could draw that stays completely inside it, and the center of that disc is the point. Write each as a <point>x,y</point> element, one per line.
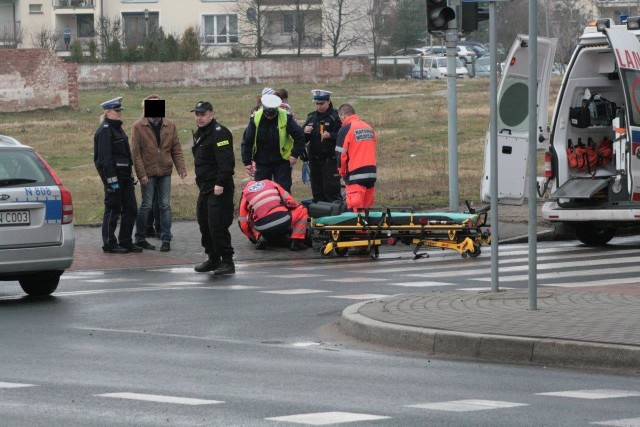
<point>221,72</point>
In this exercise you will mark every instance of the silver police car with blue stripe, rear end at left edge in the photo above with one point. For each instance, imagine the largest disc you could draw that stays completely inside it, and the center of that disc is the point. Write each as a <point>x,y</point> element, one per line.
<point>37,239</point>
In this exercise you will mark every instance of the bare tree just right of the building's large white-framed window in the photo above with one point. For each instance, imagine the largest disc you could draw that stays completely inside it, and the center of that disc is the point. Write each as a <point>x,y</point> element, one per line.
<point>252,18</point>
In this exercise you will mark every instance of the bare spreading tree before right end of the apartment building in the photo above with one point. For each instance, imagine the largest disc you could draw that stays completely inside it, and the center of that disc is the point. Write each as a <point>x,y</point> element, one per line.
<point>342,25</point>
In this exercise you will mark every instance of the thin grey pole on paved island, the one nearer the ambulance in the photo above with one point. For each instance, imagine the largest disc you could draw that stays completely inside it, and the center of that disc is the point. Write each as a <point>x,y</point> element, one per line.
<point>533,159</point>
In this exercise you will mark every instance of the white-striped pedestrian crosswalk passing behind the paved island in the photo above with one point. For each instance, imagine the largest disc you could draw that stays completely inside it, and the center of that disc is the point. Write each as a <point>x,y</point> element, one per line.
<point>566,264</point>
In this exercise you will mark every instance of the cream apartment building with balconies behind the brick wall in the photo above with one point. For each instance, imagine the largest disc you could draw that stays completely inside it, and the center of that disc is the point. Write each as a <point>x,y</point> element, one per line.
<point>285,26</point>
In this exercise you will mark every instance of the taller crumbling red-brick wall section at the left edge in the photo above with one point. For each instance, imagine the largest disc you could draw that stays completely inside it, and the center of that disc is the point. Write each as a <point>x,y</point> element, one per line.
<point>31,79</point>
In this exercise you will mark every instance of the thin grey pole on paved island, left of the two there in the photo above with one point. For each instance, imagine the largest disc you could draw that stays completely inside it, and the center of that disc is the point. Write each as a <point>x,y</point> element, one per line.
<point>493,142</point>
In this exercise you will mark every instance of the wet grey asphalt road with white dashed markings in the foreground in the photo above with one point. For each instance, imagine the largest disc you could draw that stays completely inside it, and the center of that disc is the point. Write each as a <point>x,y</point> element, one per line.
<point>168,346</point>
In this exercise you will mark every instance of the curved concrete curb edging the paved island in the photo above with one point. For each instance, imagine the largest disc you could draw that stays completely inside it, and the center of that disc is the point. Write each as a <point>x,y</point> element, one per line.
<point>491,348</point>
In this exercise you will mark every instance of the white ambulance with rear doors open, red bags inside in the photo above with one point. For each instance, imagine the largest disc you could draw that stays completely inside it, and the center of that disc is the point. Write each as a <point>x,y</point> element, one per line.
<point>592,159</point>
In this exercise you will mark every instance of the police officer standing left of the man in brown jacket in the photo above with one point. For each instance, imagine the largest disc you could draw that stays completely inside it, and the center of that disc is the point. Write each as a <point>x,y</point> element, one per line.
<point>112,157</point>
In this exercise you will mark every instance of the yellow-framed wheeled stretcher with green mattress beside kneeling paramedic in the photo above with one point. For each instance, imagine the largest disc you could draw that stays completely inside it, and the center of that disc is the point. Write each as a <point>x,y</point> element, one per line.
<point>462,232</point>
